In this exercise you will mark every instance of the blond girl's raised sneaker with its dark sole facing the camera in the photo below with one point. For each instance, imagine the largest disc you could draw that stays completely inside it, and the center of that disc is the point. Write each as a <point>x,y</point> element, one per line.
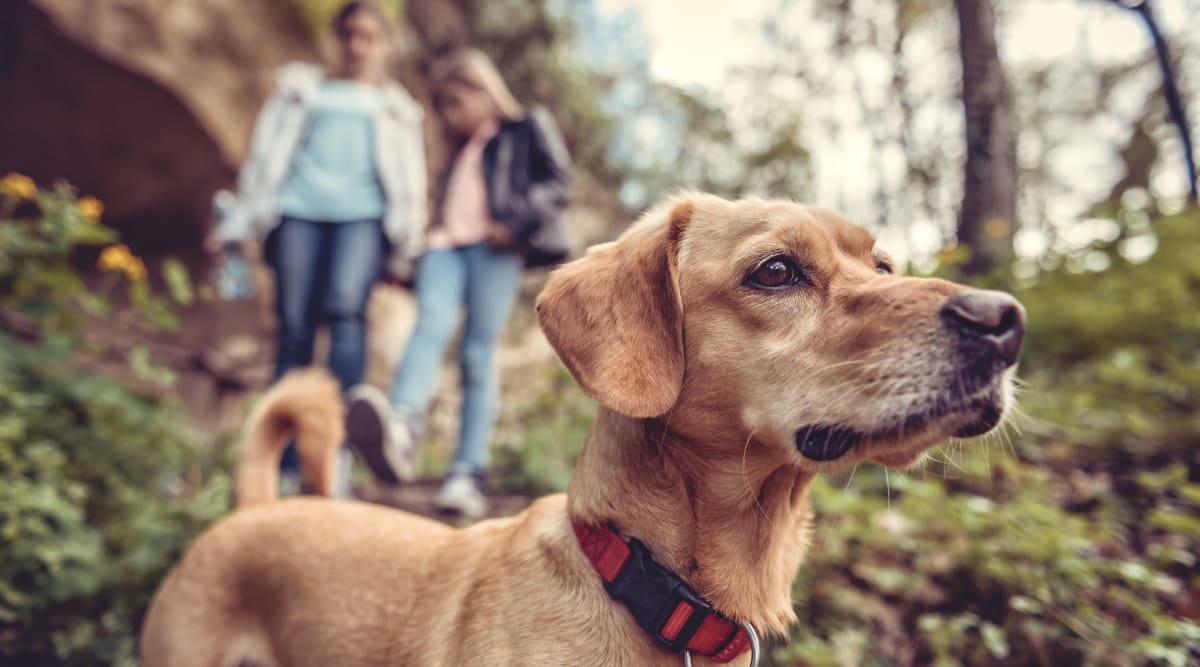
<point>387,442</point>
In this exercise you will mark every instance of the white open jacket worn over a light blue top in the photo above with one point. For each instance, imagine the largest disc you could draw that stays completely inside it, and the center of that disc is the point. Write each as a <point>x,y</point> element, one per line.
<point>400,164</point>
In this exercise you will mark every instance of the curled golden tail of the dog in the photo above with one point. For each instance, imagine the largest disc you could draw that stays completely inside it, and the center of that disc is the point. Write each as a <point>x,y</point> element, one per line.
<point>305,406</point>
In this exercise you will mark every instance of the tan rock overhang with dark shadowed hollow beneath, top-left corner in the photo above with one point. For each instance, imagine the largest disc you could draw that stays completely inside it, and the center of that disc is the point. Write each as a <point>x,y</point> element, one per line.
<point>145,104</point>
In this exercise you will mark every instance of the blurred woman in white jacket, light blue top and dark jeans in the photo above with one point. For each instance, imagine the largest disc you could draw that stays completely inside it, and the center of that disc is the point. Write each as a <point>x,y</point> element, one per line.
<point>335,183</point>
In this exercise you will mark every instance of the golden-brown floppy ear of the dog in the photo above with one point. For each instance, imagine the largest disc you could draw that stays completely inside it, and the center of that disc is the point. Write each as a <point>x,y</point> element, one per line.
<point>616,319</point>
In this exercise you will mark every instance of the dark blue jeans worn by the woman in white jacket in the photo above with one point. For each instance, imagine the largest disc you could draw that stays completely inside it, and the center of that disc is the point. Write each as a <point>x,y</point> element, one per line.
<point>323,275</point>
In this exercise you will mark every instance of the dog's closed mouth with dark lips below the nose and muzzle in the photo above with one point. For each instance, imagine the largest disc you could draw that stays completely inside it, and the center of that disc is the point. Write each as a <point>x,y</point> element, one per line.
<point>963,418</point>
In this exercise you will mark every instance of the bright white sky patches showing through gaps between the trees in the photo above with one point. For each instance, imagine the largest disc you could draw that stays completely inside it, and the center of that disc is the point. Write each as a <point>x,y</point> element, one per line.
<point>695,43</point>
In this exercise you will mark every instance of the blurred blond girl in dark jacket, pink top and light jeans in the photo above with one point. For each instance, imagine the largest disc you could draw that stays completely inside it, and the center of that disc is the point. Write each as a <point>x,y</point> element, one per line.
<point>500,207</point>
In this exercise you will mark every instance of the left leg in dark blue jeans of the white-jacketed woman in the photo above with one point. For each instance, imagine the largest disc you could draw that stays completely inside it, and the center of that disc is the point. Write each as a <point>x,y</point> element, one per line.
<point>297,260</point>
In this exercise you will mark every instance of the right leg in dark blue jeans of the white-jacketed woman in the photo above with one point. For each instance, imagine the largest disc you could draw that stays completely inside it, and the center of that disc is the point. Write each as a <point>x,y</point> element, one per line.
<point>357,253</point>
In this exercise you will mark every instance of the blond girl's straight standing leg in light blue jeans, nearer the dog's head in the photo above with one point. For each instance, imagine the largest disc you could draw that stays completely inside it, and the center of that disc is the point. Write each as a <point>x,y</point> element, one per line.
<point>493,286</point>
